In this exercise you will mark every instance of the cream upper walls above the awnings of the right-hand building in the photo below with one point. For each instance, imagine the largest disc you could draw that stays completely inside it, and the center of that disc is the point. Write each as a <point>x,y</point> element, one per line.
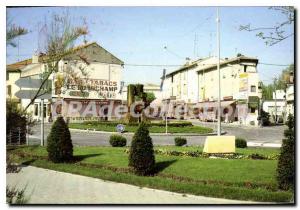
<point>199,83</point>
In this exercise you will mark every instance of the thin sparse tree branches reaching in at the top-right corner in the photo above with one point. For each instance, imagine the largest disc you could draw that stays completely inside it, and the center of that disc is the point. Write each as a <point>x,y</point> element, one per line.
<point>277,33</point>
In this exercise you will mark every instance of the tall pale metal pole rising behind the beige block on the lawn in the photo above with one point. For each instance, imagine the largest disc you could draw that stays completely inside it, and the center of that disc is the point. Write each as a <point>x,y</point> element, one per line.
<point>219,74</point>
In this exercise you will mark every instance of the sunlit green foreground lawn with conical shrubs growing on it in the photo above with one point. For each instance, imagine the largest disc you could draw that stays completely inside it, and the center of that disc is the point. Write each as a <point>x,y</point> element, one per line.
<point>232,179</point>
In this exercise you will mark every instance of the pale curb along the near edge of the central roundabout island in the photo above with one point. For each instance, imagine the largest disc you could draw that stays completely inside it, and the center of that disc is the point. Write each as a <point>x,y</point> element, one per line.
<point>153,134</point>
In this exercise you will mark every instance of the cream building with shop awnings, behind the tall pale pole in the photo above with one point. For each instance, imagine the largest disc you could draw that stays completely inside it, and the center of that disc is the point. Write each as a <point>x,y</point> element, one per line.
<point>196,85</point>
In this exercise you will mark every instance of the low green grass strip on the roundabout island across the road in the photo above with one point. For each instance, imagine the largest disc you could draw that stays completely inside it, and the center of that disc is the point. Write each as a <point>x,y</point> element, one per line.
<point>133,128</point>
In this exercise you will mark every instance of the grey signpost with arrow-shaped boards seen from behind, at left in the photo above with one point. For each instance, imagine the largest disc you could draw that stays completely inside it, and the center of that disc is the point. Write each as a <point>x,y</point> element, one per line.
<point>33,85</point>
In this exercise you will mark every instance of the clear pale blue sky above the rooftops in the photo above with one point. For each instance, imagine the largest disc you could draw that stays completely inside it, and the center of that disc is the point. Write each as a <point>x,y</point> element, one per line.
<point>137,35</point>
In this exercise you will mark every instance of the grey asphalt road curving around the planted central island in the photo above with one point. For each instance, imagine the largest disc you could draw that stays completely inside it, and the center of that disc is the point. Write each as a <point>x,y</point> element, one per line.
<point>273,134</point>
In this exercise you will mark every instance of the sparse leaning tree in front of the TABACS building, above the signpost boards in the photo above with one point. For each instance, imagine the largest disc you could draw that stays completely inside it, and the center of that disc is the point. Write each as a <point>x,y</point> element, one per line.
<point>60,37</point>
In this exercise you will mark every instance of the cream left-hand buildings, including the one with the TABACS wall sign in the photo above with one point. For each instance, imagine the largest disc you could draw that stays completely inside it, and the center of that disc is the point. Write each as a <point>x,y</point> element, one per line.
<point>88,74</point>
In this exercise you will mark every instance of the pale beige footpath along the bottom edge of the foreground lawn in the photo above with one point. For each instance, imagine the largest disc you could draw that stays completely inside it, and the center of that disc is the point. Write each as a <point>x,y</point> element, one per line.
<point>43,186</point>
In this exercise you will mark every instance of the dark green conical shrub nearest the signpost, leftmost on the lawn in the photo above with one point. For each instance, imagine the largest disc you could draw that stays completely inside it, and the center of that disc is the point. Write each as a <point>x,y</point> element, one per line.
<point>59,143</point>
